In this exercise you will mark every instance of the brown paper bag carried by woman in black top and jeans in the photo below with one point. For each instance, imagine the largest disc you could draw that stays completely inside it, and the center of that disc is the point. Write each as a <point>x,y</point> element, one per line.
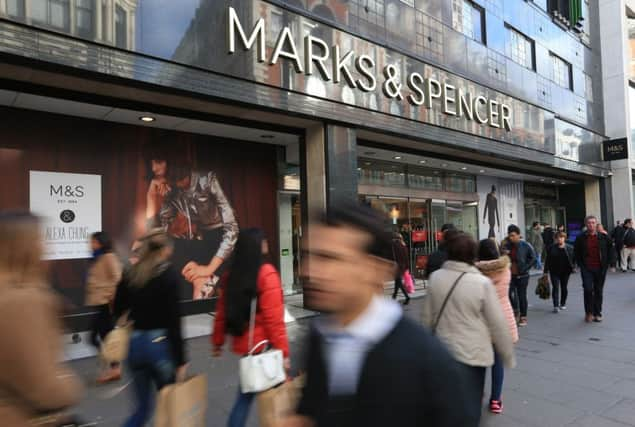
<point>182,404</point>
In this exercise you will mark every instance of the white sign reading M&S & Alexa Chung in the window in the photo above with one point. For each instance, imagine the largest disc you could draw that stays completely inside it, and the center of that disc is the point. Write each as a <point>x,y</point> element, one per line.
<point>69,205</point>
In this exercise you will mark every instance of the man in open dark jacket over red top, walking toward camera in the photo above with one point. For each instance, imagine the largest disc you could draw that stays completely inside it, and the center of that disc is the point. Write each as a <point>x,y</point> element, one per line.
<point>594,254</point>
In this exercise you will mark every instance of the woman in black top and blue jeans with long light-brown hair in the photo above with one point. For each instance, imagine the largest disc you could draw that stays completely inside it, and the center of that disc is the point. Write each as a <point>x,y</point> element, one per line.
<point>149,294</point>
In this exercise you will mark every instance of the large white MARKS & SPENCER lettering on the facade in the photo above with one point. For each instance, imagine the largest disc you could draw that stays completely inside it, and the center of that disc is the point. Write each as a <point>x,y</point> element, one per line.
<point>360,72</point>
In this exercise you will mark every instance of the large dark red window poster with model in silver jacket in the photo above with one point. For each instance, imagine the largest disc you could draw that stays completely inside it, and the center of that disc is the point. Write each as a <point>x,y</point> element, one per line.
<point>129,180</point>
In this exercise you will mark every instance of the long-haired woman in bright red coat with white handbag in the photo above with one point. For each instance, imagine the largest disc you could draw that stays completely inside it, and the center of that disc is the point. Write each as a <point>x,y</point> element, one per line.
<point>250,277</point>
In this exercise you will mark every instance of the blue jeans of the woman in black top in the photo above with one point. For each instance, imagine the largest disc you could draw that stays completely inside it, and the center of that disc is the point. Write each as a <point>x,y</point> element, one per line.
<point>152,366</point>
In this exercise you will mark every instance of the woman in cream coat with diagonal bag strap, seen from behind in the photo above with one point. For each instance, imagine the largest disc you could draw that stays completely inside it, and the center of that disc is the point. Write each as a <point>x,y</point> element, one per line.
<point>463,310</point>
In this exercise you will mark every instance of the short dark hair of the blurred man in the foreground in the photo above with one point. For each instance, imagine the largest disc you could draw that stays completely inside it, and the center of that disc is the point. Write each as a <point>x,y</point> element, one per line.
<point>365,219</point>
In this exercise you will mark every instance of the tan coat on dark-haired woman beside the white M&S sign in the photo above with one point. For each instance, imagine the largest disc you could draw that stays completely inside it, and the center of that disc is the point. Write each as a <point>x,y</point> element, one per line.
<point>103,276</point>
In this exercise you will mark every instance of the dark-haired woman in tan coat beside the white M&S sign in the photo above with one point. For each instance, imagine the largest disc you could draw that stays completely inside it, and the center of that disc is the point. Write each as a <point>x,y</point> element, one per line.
<point>103,276</point>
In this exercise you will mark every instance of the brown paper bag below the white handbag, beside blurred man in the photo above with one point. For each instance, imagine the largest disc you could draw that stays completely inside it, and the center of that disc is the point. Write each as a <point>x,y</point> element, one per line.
<point>279,402</point>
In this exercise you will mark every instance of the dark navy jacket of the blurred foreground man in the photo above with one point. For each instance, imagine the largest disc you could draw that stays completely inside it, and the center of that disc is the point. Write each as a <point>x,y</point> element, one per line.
<point>408,380</point>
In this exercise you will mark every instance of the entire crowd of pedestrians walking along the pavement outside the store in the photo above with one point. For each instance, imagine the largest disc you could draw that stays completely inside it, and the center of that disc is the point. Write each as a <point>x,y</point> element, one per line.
<point>365,363</point>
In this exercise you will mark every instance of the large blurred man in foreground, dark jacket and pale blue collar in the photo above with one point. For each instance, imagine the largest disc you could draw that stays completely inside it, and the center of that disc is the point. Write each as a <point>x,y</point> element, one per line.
<point>367,364</point>
